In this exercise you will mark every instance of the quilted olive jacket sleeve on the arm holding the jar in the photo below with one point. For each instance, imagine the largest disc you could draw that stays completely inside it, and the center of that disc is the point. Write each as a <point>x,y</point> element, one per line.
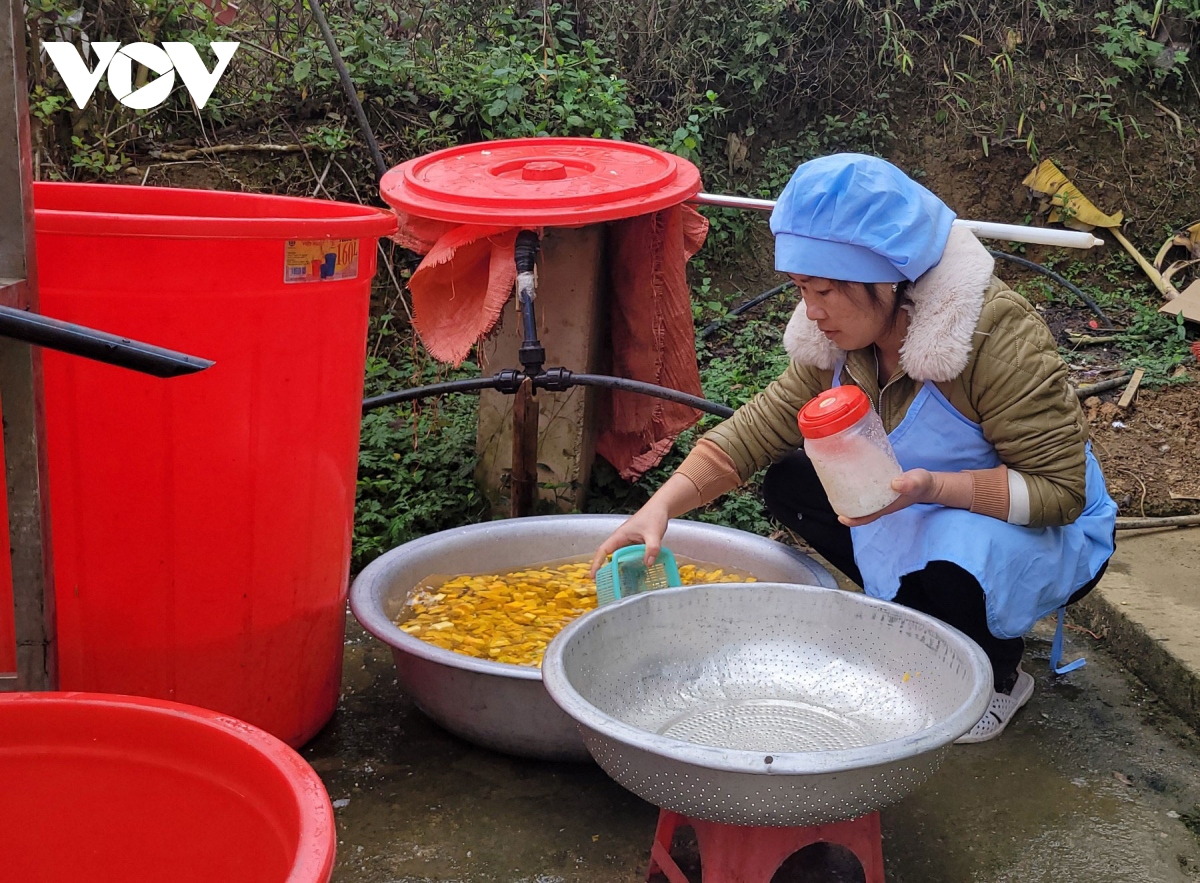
<point>1028,410</point>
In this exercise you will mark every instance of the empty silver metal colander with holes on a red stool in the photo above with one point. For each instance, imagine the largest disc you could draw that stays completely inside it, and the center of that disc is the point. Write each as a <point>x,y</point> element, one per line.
<point>766,704</point>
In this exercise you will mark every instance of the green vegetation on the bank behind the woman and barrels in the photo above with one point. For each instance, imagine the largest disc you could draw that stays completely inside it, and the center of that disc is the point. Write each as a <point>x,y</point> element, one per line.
<point>746,91</point>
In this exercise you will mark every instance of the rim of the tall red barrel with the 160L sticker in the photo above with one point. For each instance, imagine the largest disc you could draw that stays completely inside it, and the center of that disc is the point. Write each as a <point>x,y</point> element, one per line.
<point>179,213</point>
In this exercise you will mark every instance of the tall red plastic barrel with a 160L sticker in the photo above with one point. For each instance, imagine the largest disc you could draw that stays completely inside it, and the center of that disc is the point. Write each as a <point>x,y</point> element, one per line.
<point>201,525</point>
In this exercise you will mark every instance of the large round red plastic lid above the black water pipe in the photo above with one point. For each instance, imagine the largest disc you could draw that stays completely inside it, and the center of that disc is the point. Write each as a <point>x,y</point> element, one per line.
<point>541,183</point>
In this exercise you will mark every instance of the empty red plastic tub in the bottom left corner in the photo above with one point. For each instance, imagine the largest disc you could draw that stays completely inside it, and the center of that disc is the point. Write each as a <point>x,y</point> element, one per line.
<point>113,789</point>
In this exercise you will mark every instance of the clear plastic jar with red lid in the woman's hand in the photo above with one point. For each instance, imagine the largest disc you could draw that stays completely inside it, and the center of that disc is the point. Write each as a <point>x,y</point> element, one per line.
<point>850,450</point>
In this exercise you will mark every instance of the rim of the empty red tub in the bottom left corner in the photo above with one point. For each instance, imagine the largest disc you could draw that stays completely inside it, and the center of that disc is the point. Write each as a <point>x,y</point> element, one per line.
<point>317,838</point>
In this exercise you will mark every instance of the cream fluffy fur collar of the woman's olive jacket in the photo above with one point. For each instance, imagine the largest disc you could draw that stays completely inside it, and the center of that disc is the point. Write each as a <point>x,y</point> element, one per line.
<point>946,307</point>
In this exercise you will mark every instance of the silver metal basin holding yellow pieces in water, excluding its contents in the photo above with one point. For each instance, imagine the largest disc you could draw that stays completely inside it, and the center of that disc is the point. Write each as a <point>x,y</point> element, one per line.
<point>501,706</point>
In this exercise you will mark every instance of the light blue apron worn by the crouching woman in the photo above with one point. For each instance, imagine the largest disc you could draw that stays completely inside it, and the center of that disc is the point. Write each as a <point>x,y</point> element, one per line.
<point>1025,573</point>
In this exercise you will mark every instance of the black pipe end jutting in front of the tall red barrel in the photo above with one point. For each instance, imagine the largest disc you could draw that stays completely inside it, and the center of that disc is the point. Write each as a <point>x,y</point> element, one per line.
<point>98,346</point>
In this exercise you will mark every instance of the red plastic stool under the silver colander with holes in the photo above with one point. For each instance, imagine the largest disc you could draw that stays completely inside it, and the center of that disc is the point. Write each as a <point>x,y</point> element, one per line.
<point>733,854</point>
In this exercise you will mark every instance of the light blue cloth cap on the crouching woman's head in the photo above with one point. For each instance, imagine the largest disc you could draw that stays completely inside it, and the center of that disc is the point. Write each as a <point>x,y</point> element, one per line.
<point>857,219</point>
